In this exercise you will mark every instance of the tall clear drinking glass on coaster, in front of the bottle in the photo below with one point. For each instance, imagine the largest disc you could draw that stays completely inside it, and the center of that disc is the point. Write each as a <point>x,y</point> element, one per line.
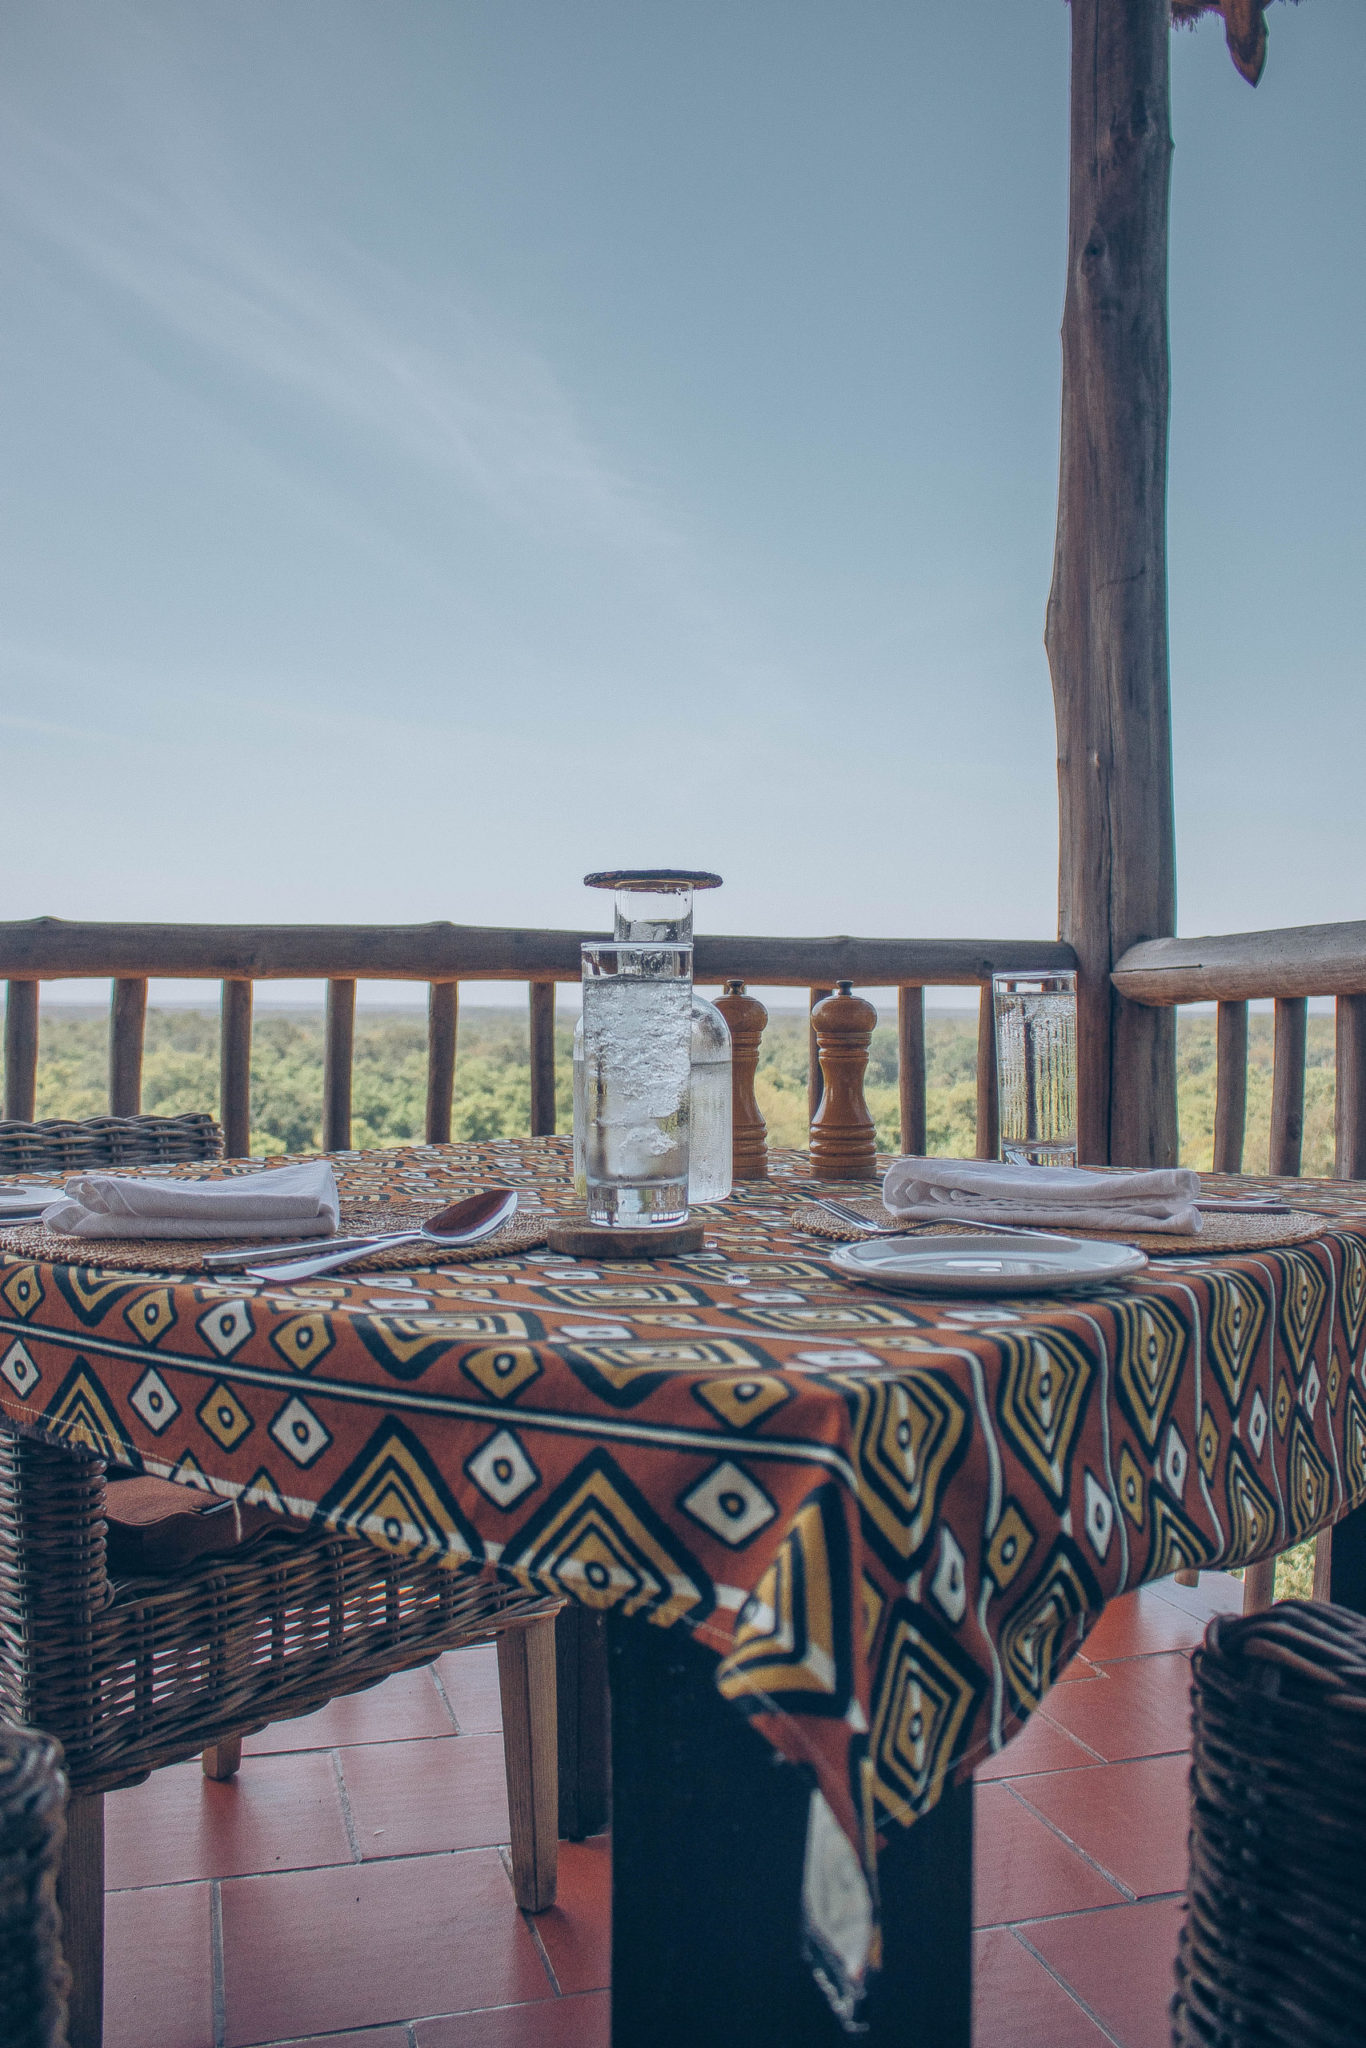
<point>638,1072</point>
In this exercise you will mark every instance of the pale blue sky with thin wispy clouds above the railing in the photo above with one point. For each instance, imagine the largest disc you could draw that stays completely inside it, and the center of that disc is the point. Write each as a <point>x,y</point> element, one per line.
<point>447,447</point>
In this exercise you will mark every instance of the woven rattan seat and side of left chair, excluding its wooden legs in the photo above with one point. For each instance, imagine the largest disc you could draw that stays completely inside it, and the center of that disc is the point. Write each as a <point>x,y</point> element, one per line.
<point>146,1672</point>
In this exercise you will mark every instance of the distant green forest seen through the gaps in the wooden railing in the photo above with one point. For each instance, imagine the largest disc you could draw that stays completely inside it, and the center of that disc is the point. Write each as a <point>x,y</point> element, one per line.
<point>493,1078</point>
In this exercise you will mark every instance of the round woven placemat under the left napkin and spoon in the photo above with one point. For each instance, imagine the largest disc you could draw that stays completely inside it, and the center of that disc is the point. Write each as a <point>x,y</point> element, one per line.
<point>187,1254</point>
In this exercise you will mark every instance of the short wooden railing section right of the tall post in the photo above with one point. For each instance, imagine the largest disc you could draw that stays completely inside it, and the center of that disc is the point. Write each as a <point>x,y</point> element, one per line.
<point>1289,968</point>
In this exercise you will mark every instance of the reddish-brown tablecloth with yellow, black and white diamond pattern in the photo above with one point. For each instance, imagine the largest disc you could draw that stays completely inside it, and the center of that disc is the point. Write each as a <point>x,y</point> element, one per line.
<point>892,1519</point>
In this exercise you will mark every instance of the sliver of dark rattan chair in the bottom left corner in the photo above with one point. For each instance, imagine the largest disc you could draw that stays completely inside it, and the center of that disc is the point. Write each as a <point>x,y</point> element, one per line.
<point>34,1977</point>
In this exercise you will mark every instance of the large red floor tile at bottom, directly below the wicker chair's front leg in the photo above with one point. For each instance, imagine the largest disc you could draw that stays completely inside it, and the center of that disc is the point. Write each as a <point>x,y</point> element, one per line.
<point>318,1951</point>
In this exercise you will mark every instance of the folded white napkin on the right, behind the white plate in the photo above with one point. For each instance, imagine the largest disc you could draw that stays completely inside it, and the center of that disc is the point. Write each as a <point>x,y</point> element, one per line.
<point>955,1191</point>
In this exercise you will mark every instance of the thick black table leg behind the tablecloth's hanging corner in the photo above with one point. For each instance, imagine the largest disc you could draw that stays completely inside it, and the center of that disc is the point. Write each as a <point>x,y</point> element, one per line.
<point>708,1848</point>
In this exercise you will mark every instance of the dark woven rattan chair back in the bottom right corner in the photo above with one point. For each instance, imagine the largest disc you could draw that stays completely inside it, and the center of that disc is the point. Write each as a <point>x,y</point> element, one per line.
<point>1275,1943</point>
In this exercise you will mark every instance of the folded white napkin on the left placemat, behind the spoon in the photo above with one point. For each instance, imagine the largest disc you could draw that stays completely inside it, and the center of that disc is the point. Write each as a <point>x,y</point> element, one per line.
<point>284,1201</point>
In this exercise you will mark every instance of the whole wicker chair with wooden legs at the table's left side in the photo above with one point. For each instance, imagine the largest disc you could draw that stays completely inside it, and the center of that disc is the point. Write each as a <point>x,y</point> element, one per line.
<point>130,1674</point>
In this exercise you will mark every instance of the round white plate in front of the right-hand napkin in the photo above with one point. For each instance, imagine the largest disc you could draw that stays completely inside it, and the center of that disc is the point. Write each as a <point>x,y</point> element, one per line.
<point>984,1265</point>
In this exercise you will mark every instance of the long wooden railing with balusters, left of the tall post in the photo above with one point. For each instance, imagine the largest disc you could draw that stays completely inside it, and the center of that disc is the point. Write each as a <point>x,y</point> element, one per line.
<point>443,955</point>
